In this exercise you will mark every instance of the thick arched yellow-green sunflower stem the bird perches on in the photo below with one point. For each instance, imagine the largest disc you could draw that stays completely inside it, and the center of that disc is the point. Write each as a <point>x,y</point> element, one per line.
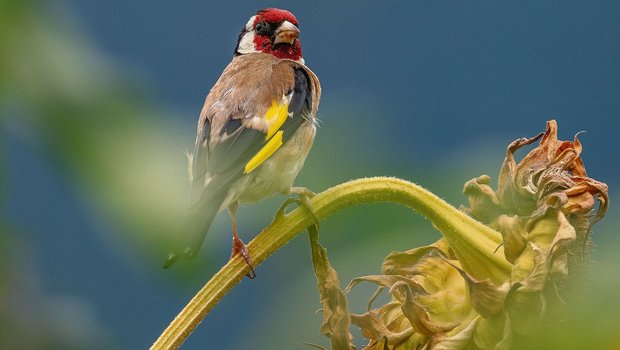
<point>474,243</point>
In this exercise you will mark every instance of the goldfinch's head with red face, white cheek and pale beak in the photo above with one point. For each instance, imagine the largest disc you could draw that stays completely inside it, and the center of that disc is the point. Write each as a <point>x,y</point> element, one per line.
<point>271,31</point>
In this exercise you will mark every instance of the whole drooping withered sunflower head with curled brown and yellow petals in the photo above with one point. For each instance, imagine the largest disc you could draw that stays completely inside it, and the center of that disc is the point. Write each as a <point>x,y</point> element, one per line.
<point>543,208</point>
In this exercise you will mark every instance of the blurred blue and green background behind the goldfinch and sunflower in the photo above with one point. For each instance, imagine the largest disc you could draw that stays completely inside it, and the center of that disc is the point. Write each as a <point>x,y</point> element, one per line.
<point>99,100</point>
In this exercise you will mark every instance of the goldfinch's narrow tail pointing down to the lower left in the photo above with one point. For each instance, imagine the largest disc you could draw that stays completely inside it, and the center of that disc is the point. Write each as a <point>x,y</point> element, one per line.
<point>197,225</point>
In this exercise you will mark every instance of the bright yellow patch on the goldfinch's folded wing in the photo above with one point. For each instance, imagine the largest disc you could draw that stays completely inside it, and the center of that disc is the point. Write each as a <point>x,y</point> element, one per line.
<point>275,117</point>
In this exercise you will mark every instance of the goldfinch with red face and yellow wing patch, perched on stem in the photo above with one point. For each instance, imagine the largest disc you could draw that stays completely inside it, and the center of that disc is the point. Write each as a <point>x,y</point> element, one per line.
<point>255,129</point>
